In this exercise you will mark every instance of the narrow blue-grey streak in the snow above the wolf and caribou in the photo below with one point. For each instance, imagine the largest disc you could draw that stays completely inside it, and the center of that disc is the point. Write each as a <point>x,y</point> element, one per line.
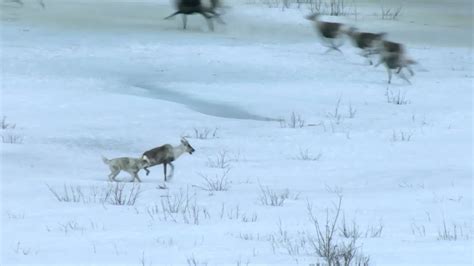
<point>200,105</point>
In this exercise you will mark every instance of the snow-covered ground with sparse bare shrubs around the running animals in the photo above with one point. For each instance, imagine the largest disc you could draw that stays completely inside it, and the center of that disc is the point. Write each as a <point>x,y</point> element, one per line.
<point>82,79</point>
